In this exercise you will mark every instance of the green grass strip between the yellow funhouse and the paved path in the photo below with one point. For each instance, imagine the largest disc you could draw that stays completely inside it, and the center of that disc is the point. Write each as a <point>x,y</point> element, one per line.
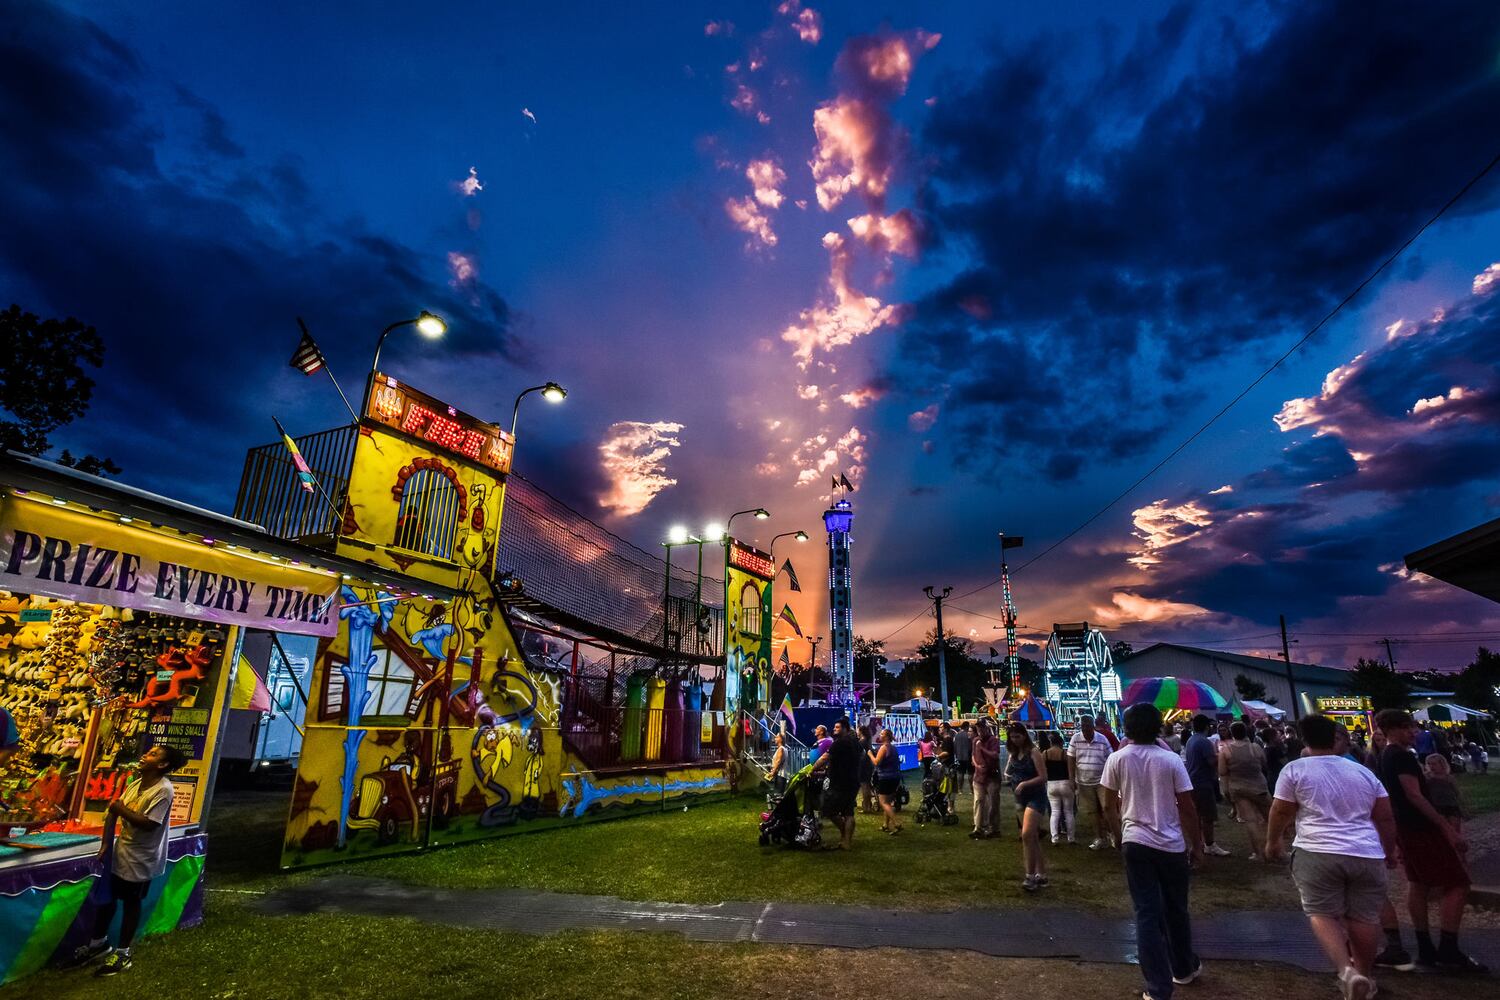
<point>710,855</point>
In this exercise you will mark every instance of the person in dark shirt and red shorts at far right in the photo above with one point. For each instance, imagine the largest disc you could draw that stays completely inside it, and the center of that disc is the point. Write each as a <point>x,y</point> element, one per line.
<point>1432,851</point>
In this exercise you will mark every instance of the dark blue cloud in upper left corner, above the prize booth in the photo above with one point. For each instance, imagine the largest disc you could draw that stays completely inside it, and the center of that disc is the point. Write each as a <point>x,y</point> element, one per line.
<point>173,242</point>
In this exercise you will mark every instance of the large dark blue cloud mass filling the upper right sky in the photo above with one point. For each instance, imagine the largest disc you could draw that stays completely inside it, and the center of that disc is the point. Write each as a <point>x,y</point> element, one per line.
<point>1136,209</point>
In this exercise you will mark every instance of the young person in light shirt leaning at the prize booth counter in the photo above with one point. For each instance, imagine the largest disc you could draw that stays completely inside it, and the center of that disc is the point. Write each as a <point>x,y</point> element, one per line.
<point>136,854</point>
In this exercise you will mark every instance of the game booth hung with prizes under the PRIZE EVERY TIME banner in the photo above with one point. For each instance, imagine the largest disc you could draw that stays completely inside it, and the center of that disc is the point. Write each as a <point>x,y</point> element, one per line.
<point>122,617</point>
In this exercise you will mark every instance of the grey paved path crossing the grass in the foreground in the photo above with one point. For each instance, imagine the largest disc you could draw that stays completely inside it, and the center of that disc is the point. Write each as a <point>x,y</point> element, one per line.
<point>1031,933</point>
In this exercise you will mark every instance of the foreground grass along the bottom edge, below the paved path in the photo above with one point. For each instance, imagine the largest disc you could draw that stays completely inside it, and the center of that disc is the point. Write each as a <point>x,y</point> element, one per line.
<point>238,954</point>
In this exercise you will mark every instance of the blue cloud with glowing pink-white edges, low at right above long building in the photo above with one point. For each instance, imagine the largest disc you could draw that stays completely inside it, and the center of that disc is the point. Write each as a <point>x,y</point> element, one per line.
<point>1397,440</point>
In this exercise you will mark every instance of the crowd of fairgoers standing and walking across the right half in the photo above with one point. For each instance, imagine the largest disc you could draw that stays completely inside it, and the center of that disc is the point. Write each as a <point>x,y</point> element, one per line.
<point>1343,810</point>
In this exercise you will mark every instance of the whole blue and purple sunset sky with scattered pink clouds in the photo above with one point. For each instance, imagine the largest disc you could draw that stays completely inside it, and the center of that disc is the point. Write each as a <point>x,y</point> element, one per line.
<point>991,262</point>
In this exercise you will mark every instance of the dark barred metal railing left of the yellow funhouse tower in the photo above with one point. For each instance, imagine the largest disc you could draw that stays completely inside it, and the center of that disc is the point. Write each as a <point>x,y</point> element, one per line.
<point>272,496</point>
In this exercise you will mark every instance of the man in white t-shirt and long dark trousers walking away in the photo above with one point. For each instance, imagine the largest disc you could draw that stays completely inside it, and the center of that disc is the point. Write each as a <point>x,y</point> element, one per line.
<point>1148,800</point>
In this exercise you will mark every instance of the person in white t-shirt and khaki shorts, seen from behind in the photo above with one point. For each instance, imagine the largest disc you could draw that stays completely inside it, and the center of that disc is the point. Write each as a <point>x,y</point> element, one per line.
<point>1346,840</point>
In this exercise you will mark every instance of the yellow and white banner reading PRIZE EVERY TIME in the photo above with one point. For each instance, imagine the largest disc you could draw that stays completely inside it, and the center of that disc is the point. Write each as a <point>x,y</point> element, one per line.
<point>76,557</point>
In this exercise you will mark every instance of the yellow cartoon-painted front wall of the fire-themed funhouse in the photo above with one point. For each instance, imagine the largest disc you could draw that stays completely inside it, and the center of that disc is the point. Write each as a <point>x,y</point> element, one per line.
<point>430,722</point>
